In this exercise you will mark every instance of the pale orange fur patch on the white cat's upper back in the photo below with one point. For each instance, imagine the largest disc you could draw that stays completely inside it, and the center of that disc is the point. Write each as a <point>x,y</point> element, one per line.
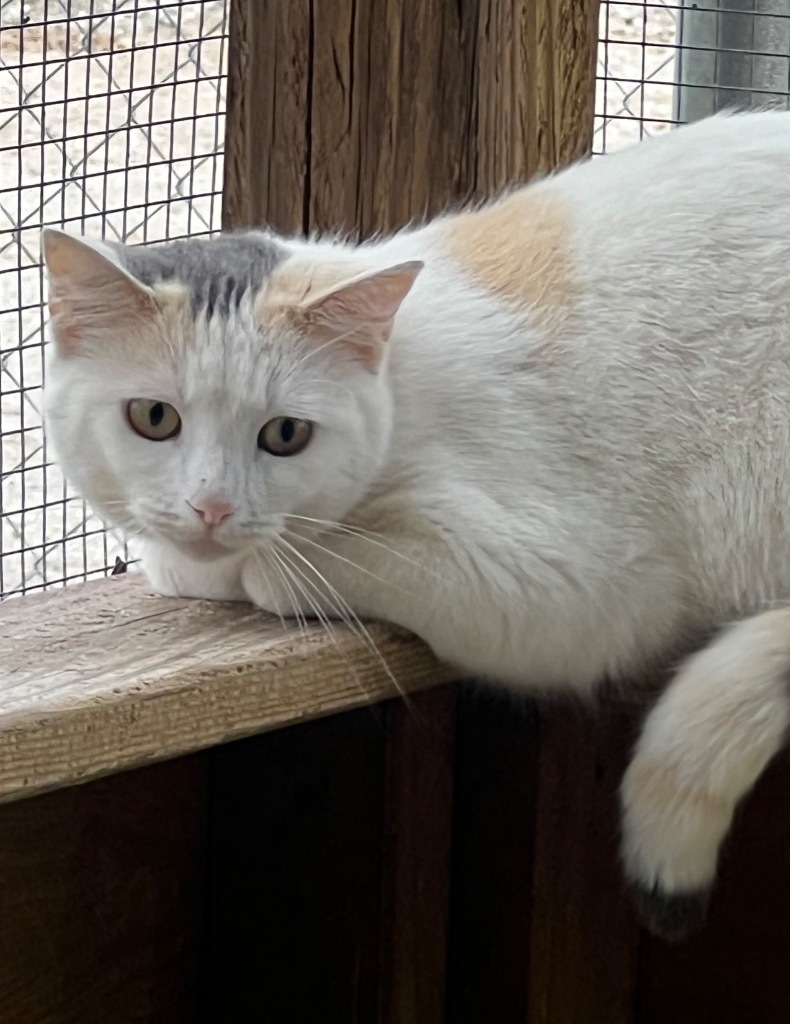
<point>519,248</point>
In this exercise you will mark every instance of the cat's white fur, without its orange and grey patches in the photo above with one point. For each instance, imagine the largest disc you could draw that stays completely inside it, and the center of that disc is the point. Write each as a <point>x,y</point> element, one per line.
<point>549,509</point>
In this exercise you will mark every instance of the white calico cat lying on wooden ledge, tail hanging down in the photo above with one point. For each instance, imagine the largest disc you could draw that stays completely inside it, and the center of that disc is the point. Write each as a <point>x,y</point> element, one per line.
<point>551,437</point>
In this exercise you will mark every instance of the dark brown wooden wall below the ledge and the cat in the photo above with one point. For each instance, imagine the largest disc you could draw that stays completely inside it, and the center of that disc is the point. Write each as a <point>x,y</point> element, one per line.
<point>308,876</point>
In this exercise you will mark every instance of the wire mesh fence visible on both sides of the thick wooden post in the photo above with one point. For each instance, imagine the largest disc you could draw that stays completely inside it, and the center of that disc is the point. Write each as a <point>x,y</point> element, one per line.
<point>112,123</point>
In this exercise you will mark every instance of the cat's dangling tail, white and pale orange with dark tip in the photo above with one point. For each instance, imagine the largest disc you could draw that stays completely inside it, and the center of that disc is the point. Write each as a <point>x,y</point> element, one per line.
<point>704,745</point>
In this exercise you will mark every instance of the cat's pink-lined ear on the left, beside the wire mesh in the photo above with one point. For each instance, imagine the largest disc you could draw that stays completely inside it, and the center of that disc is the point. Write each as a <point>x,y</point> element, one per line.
<point>92,297</point>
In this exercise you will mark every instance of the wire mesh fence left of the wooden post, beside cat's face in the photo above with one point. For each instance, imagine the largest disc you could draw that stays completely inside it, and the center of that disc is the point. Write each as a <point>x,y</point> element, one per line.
<point>112,125</point>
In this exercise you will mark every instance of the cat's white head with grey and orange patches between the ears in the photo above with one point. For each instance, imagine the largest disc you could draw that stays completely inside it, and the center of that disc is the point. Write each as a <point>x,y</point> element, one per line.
<point>201,392</point>
